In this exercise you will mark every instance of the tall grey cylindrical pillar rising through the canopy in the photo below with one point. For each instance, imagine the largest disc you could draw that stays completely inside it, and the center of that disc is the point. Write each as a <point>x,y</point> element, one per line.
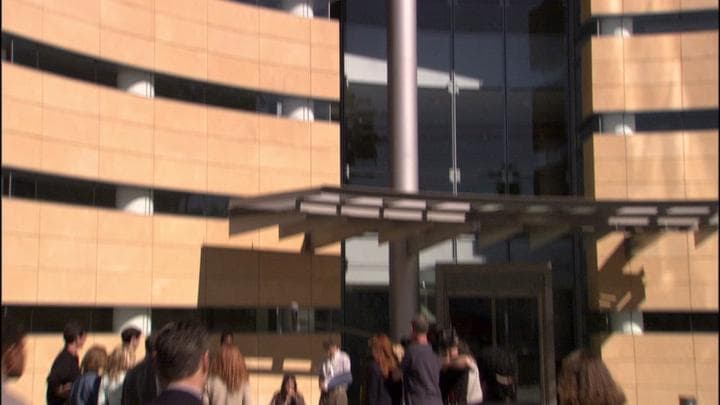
<point>402,109</point>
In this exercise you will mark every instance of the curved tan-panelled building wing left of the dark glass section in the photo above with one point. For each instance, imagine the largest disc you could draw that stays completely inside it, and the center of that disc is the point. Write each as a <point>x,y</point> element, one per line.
<point>126,127</point>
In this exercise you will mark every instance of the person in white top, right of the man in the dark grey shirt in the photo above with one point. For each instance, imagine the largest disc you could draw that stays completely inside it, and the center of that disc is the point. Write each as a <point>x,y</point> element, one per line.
<point>459,375</point>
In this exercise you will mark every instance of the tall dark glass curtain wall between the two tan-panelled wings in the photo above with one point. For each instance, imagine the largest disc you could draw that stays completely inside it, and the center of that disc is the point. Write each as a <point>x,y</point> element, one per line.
<point>492,118</point>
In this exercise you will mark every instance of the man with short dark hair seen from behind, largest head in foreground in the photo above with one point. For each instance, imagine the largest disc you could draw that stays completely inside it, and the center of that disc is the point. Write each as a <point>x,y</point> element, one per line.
<point>182,362</point>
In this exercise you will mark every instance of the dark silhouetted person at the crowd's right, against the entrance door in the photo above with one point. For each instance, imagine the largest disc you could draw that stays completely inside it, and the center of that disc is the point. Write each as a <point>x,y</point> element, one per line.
<point>499,366</point>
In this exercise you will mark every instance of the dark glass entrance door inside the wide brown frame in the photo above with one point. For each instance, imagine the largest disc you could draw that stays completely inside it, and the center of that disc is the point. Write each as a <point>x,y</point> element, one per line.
<point>509,325</point>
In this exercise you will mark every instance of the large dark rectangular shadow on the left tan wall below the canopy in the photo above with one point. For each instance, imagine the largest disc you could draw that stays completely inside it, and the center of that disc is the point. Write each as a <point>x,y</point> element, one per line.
<point>233,295</point>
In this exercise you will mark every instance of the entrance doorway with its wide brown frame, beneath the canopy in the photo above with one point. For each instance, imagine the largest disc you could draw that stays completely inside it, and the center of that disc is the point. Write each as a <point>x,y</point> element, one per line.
<point>503,311</point>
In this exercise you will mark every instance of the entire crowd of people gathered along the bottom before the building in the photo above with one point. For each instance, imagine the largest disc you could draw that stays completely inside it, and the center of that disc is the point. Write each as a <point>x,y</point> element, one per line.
<point>178,368</point>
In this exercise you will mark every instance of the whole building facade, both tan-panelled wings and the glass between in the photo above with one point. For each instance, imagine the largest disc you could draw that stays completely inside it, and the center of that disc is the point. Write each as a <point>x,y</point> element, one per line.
<point>127,125</point>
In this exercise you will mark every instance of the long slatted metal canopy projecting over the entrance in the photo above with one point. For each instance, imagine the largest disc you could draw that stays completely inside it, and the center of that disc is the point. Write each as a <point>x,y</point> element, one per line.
<point>326,215</point>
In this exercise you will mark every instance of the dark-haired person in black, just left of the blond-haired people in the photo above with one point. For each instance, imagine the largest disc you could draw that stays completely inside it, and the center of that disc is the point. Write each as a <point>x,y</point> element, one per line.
<point>66,366</point>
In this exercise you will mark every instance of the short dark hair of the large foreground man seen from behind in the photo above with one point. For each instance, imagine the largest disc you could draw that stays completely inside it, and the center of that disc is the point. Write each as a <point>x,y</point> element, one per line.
<point>179,348</point>
